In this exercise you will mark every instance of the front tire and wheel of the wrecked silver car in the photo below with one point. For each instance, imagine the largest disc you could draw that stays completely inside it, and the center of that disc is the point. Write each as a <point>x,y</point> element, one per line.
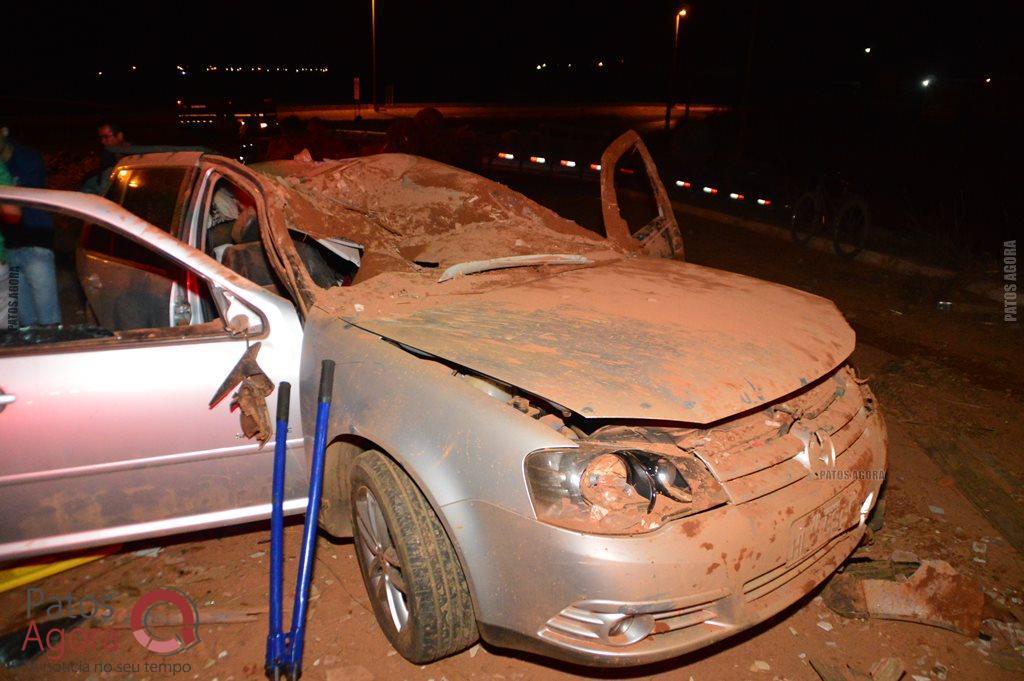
<point>409,567</point>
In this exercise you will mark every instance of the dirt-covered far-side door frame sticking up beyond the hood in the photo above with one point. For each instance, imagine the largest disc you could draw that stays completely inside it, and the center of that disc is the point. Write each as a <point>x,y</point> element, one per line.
<point>661,237</point>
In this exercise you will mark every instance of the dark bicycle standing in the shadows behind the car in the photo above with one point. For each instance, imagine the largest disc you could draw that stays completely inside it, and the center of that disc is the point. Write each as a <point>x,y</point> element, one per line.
<point>841,211</point>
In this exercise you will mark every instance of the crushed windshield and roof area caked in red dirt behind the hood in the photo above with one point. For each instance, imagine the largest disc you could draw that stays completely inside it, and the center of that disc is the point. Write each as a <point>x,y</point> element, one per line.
<point>415,218</point>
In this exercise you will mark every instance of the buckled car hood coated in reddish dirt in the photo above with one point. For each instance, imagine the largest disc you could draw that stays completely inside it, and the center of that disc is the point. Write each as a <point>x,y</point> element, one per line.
<point>636,338</point>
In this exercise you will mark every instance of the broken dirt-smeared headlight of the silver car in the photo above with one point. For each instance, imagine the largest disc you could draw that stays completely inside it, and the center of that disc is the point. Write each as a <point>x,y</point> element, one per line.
<point>611,491</point>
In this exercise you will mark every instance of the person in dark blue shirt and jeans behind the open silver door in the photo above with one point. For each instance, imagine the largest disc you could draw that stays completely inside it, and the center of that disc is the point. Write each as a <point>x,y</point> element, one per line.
<point>29,243</point>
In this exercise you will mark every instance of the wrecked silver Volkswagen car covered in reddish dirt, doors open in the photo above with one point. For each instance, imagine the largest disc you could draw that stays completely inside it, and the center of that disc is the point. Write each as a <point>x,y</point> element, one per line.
<point>559,442</point>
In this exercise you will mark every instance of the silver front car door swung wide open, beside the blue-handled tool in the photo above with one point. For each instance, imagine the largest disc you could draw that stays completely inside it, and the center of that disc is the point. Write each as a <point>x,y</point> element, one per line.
<point>107,434</point>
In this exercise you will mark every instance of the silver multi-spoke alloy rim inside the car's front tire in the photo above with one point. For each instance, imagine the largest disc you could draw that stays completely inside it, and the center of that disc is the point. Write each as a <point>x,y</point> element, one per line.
<point>380,560</point>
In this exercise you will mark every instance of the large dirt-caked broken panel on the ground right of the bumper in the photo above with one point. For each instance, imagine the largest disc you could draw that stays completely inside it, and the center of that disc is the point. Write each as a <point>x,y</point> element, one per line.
<point>933,594</point>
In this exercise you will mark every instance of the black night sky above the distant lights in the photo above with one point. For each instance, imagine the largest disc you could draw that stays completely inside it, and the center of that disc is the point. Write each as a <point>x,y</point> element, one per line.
<point>479,51</point>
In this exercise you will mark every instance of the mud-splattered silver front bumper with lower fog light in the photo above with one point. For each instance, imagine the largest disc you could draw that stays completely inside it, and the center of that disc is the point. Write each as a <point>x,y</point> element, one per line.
<point>636,600</point>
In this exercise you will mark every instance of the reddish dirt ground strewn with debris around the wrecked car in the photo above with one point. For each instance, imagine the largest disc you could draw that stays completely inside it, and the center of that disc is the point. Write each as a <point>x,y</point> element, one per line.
<point>950,385</point>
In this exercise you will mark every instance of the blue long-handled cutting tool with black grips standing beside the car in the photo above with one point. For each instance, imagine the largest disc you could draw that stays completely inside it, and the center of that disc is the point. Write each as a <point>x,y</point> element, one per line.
<point>284,652</point>
